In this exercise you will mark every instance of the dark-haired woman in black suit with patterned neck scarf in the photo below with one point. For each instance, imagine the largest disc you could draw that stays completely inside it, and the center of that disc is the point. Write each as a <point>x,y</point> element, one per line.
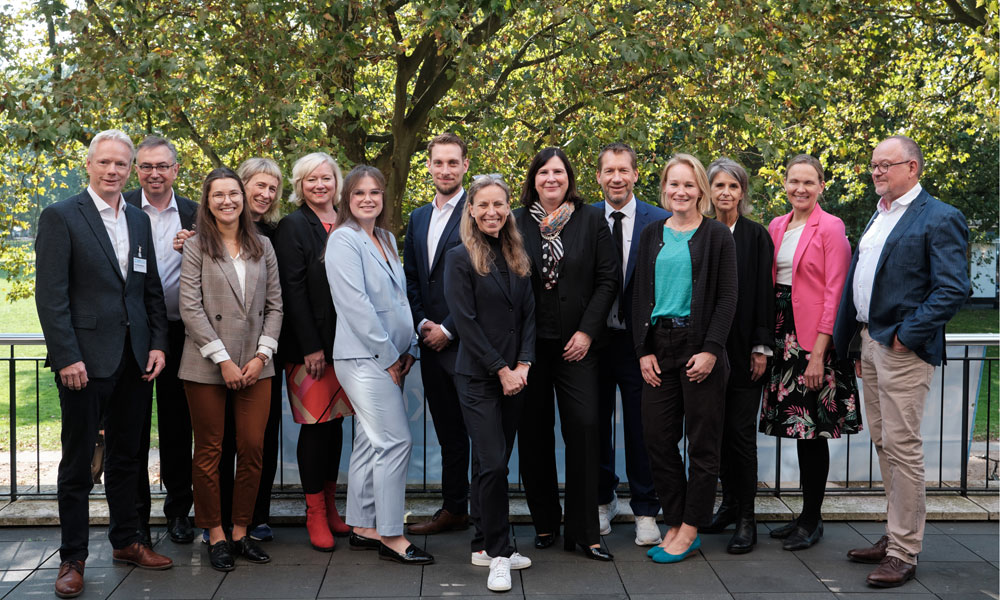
<point>575,278</point>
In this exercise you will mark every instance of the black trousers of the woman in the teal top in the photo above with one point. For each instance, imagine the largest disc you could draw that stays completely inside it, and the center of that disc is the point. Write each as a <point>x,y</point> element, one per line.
<point>678,403</point>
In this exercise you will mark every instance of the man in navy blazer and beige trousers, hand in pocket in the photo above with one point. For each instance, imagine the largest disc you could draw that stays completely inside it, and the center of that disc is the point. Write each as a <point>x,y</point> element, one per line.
<point>908,278</point>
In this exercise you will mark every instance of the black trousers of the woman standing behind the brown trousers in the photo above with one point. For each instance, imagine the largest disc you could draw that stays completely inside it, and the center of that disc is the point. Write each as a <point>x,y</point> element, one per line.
<point>269,458</point>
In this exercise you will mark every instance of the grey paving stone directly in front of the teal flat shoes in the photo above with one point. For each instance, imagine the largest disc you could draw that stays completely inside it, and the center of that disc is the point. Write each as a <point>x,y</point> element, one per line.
<point>686,577</point>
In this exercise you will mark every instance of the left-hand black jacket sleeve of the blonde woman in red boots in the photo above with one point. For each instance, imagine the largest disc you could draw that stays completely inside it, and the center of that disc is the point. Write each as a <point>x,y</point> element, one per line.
<point>293,273</point>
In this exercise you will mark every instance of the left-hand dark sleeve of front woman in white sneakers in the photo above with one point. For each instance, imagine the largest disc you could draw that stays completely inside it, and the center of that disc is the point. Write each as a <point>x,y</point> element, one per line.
<point>460,282</point>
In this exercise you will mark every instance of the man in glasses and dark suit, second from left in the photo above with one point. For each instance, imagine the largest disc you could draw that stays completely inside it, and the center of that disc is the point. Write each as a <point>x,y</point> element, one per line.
<point>156,167</point>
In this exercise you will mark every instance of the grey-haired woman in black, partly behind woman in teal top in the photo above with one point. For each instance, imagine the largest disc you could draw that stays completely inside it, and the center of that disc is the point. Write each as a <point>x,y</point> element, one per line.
<point>750,342</point>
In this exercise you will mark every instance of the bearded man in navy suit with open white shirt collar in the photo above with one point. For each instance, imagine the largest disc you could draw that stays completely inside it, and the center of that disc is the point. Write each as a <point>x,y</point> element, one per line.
<point>432,231</point>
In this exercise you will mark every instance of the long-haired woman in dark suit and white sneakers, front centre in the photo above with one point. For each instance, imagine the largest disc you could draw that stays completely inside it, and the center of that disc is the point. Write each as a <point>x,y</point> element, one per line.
<point>490,299</point>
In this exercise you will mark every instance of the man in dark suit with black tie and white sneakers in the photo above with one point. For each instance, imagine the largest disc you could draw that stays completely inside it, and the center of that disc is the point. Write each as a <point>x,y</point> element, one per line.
<point>626,216</point>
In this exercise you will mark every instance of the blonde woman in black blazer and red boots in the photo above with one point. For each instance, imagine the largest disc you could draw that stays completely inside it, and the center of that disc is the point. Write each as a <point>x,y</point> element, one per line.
<point>306,343</point>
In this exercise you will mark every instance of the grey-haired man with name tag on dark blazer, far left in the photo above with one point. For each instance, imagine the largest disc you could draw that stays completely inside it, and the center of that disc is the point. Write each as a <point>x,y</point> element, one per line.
<point>101,308</point>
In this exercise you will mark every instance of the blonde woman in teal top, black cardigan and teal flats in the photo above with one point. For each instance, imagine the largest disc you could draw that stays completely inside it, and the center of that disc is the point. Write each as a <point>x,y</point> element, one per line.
<point>683,307</point>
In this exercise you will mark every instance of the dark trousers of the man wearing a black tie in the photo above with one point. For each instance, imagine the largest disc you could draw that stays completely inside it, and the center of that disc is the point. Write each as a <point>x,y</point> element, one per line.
<point>620,371</point>
